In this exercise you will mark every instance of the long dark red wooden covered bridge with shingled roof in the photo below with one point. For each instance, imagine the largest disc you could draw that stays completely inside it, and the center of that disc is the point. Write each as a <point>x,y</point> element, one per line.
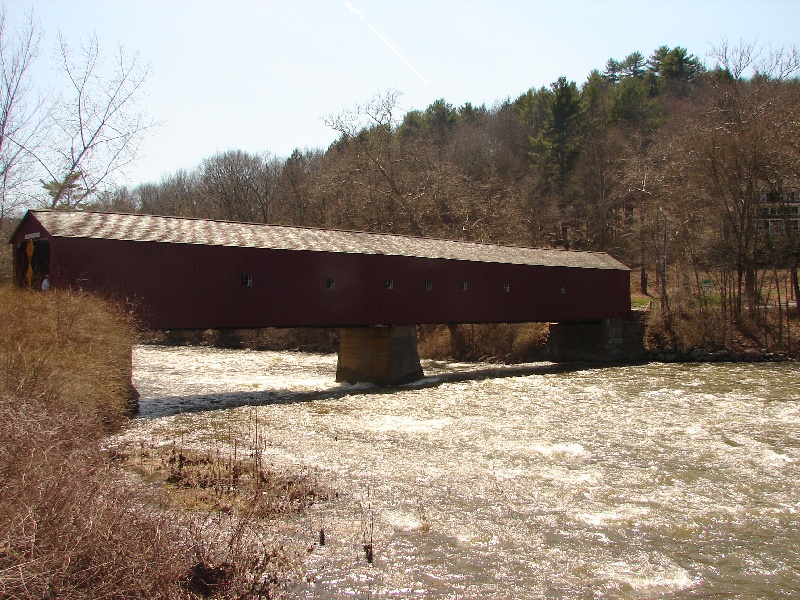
<point>180,273</point>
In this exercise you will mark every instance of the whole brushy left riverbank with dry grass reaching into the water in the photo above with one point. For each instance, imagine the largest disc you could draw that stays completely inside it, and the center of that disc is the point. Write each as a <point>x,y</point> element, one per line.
<point>78,522</point>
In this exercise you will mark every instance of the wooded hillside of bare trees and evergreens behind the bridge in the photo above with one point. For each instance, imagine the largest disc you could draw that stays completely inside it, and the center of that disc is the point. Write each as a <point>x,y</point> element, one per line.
<point>658,160</point>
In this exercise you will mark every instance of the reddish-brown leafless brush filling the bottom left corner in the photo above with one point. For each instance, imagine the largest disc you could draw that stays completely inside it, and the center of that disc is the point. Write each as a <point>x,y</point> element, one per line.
<point>69,532</point>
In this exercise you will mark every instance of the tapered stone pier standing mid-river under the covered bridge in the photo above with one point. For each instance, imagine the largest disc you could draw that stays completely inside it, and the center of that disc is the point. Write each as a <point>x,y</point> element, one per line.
<point>379,355</point>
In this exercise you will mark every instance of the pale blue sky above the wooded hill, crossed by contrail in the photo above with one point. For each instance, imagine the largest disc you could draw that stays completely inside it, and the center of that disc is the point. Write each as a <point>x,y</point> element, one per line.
<point>260,75</point>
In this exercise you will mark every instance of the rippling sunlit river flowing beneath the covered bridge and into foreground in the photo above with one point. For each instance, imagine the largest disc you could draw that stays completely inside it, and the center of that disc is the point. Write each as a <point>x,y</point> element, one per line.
<point>531,481</point>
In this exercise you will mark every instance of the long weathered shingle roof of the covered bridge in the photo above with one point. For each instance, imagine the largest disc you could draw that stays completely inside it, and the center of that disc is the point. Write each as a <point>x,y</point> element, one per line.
<point>179,230</point>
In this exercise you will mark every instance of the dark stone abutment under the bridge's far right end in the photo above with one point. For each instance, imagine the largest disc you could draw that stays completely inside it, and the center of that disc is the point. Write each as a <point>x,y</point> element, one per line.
<point>607,341</point>
